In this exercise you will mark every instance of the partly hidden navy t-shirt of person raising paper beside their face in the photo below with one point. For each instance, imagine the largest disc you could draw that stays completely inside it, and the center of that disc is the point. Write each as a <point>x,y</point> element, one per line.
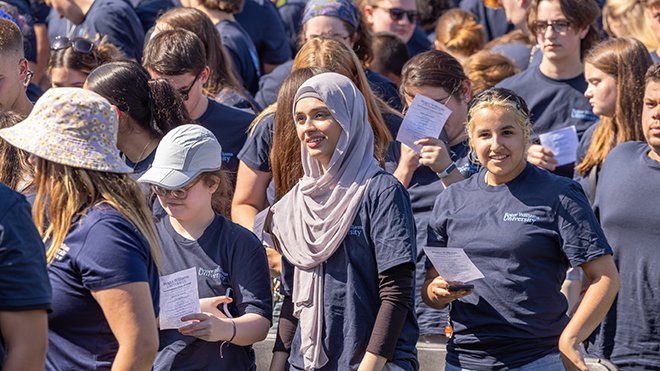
<point>423,189</point>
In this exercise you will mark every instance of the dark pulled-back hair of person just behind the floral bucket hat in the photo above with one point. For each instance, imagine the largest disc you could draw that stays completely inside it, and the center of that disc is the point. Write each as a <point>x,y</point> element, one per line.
<point>154,104</point>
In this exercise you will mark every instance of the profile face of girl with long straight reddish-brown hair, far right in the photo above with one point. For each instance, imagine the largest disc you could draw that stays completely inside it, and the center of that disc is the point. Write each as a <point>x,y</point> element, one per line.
<point>601,91</point>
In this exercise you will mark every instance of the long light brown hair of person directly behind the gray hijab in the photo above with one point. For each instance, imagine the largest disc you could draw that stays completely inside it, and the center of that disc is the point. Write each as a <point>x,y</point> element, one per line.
<point>335,56</point>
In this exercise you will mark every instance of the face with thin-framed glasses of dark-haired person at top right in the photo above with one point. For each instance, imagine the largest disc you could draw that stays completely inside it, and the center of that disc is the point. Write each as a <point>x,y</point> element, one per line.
<point>557,46</point>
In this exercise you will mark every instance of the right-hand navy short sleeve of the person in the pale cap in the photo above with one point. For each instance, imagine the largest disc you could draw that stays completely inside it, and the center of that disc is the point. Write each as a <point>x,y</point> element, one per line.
<point>250,278</point>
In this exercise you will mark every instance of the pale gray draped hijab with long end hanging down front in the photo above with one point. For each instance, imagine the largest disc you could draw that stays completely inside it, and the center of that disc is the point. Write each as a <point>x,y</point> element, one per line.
<point>311,221</point>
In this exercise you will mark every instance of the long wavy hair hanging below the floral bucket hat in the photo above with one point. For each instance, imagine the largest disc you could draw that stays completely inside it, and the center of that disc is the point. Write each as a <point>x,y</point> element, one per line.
<point>65,193</point>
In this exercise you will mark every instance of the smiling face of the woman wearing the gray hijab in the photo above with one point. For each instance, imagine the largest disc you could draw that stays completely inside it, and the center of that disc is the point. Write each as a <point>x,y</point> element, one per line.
<point>317,129</point>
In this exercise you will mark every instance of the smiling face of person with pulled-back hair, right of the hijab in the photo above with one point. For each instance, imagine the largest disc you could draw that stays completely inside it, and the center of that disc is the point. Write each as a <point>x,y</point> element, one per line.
<point>499,143</point>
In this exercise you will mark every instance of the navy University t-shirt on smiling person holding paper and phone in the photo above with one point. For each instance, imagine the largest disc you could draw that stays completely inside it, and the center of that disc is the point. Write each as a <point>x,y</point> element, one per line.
<point>522,236</point>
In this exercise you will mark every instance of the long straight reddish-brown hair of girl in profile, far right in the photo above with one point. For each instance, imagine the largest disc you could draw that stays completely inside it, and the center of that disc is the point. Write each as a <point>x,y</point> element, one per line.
<point>625,59</point>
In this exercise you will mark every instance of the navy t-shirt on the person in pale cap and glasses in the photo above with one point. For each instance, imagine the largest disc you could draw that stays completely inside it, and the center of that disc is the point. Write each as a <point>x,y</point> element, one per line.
<point>225,256</point>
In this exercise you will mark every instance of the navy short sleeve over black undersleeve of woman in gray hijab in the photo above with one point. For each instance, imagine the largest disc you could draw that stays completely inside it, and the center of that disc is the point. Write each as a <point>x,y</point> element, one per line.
<point>392,228</point>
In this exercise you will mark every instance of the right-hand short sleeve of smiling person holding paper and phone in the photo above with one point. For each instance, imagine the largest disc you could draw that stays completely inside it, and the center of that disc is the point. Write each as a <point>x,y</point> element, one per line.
<point>582,238</point>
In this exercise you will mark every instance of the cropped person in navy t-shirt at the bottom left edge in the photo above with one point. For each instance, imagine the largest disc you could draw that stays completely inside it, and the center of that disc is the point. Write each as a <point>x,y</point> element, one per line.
<point>25,293</point>
